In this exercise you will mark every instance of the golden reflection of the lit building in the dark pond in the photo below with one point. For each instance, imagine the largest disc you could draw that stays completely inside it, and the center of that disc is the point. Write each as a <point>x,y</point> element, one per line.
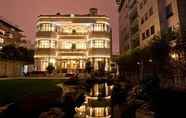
<point>98,102</point>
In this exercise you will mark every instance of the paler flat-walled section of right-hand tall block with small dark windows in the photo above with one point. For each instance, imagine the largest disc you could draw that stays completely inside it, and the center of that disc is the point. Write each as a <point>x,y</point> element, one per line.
<point>156,16</point>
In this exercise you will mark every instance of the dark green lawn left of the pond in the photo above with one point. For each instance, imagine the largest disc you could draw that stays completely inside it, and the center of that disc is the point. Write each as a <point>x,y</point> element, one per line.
<point>14,90</point>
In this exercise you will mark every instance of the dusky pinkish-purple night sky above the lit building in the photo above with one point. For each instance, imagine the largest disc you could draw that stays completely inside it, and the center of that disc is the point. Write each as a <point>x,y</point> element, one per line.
<point>24,12</point>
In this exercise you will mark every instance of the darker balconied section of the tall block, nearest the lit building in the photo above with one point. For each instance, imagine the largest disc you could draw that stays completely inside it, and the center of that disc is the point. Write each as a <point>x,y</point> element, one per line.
<point>128,25</point>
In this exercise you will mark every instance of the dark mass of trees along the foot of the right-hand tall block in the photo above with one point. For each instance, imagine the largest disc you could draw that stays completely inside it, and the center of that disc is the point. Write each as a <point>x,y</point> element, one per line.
<point>155,56</point>
